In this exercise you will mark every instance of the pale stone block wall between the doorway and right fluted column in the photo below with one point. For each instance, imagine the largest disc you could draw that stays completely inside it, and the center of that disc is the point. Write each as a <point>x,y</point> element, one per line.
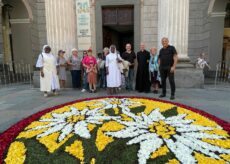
<point>149,23</point>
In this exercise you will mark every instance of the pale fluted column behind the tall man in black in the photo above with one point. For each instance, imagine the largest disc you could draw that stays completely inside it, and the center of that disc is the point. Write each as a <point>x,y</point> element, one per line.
<point>173,23</point>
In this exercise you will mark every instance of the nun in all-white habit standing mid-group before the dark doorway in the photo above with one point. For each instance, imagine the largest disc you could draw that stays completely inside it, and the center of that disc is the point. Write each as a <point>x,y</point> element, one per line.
<point>112,70</point>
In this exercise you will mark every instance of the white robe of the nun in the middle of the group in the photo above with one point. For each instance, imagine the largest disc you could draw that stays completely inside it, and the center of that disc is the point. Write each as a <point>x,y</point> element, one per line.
<point>114,76</point>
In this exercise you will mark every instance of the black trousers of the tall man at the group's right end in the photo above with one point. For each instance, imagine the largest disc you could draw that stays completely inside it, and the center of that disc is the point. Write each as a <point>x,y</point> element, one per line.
<point>164,74</point>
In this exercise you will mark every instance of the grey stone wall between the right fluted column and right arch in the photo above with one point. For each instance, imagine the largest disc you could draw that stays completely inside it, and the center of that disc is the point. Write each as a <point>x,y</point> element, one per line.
<point>199,28</point>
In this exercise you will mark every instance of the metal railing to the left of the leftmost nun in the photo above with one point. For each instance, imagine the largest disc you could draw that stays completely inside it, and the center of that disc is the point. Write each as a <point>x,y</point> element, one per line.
<point>15,73</point>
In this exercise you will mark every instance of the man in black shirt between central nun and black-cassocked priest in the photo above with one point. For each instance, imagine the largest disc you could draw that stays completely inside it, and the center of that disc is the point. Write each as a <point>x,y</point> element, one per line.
<point>129,56</point>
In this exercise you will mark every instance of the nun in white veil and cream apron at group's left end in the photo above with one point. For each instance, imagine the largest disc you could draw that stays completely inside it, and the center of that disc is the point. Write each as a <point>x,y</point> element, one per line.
<point>47,63</point>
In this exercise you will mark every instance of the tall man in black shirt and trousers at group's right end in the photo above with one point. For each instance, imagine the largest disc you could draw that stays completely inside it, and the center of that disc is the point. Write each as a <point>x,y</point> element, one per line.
<point>167,61</point>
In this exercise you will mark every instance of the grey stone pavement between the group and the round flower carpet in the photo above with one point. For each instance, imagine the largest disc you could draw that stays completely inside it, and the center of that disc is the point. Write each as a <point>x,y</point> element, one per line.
<point>18,102</point>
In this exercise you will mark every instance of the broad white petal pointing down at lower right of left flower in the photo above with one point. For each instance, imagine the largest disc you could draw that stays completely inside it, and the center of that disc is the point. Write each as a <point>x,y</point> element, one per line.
<point>81,129</point>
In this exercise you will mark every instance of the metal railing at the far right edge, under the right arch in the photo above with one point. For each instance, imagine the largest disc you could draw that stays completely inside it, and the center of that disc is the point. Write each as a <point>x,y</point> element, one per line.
<point>222,73</point>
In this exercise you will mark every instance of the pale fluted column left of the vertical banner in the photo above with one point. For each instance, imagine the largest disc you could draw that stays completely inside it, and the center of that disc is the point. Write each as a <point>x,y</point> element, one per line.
<point>60,23</point>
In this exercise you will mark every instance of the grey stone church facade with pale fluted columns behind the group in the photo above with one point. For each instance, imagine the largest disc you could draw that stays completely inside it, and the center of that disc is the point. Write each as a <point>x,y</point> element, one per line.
<point>192,26</point>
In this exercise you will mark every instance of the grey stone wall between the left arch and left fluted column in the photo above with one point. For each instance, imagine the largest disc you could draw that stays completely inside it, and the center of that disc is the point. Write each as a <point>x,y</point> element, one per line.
<point>38,27</point>
